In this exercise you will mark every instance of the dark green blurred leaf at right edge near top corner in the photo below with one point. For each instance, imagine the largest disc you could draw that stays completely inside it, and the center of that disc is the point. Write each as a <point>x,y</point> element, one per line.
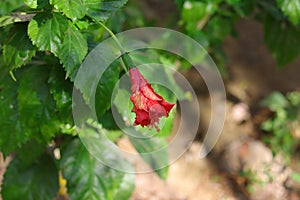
<point>282,40</point>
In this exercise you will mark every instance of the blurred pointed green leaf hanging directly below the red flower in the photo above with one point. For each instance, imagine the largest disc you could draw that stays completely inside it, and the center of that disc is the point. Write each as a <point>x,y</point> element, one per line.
<point>153,151</point>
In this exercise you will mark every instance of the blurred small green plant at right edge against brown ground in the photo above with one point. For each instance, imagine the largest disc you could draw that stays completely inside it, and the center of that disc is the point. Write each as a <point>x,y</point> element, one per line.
<point>284,125</point>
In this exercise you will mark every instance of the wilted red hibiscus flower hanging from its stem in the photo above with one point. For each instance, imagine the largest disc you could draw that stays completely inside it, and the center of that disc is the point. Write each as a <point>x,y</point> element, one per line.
<point>148,105</point>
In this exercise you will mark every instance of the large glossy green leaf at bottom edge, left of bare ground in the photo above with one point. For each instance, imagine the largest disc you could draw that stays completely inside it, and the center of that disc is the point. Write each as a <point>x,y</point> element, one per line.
<point>89,179</point>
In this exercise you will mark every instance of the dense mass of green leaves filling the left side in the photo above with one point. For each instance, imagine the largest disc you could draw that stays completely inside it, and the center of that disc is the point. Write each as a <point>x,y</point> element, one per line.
<point>42,46</point>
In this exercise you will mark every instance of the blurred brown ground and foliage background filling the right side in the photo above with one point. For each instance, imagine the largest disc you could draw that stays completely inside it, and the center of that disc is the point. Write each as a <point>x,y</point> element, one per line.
<point>255,44</point>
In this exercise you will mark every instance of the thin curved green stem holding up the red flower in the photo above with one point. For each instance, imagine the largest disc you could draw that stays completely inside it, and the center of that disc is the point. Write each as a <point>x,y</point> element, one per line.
<point>125,55</point>
